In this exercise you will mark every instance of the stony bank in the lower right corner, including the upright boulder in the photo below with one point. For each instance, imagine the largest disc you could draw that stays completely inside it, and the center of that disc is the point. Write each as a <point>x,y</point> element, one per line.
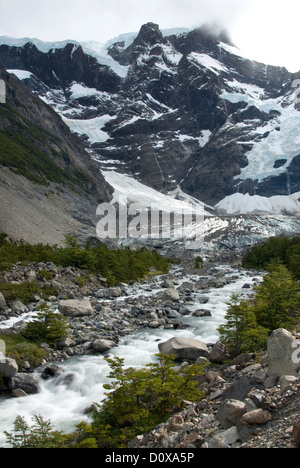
<point>254,402</point>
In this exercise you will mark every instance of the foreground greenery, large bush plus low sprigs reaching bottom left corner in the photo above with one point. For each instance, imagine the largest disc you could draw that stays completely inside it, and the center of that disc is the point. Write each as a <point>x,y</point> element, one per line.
<point>138,400</point>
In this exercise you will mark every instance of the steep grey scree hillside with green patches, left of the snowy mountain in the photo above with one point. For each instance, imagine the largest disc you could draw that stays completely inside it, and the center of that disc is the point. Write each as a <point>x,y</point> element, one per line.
<point>49,184</point>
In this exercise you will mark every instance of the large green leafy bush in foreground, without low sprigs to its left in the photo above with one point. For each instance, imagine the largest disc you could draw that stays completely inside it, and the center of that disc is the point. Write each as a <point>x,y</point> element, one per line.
<point>140,399</point>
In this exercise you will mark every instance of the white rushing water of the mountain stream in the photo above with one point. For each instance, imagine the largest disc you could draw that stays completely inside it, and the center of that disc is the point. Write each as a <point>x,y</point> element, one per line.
<point>64,400</point>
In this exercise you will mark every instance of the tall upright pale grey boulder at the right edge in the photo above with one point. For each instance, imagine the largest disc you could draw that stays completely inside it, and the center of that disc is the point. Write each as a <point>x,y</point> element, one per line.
<point>282,354</point>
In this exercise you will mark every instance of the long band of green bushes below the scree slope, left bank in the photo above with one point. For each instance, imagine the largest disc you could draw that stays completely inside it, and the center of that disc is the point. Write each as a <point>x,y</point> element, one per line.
<point>117,265</point>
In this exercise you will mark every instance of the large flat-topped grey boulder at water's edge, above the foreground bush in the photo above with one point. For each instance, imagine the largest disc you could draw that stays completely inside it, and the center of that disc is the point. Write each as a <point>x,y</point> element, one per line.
<point>184,348</point>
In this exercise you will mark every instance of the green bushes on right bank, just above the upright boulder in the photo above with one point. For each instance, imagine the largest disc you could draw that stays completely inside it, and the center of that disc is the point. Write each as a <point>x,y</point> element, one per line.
<point>276,304</point>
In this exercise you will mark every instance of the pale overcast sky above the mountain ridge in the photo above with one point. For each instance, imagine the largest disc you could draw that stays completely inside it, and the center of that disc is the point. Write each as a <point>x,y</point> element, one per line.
<point>267,30</point>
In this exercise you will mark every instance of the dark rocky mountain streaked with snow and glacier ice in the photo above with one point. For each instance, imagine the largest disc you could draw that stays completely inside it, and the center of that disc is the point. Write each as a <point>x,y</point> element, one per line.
<point>175,111</point>
